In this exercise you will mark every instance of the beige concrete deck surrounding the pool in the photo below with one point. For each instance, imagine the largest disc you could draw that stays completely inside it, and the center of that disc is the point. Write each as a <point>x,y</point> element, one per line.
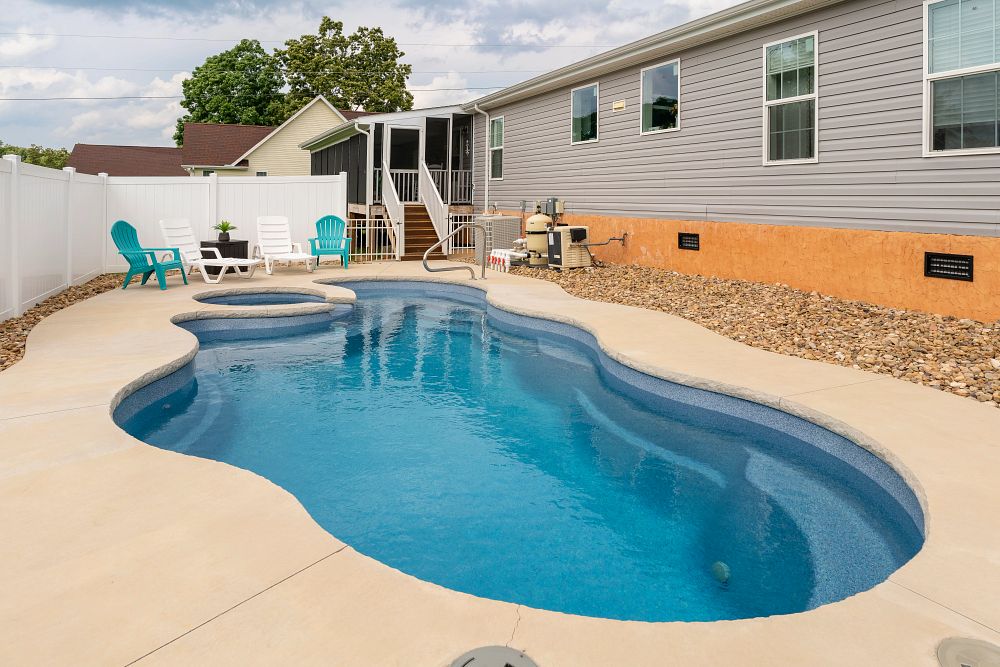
<point>117,552</point>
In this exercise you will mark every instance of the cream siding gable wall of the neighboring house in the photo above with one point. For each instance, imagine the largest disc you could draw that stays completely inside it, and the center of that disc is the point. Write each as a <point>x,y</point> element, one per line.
<point>280,155</point>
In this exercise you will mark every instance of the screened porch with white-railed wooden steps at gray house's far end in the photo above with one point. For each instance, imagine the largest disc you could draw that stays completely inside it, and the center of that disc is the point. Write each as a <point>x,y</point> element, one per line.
<point>435,141</point>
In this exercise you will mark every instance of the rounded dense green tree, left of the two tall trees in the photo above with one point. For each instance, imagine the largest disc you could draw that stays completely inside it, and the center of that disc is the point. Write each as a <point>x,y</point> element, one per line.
<point>241,85</point>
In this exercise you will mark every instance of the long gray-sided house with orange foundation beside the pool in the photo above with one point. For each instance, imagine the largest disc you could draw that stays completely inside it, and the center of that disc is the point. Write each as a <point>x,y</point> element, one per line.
<point>828,145</point>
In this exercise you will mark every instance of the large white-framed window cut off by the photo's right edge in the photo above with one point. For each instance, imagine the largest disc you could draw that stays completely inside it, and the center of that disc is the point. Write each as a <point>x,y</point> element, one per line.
<point>962,76</point>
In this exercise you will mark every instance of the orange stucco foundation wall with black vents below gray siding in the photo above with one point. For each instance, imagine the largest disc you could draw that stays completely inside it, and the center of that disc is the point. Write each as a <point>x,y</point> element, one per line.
<point>885,268</point>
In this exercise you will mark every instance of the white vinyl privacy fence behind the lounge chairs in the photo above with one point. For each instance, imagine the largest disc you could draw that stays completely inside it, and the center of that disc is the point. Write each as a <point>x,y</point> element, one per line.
<point>55,225</point>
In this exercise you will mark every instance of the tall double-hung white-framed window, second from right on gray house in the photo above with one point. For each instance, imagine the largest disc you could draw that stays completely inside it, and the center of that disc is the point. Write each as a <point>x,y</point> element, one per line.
<point>790,104</point>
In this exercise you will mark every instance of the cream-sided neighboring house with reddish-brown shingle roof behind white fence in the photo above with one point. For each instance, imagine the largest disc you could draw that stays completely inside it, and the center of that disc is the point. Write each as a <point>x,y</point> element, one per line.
<point>256,150</point>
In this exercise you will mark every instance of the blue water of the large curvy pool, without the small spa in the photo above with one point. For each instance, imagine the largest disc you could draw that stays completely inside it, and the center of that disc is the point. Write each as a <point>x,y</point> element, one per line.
<point>505,457</point>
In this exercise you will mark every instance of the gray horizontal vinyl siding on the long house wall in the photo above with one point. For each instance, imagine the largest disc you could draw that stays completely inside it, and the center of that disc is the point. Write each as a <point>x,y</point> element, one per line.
<point>870,175</point>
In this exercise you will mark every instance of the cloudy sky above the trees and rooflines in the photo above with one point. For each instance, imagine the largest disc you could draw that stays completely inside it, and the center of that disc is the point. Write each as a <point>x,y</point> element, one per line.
<point>459,50</point>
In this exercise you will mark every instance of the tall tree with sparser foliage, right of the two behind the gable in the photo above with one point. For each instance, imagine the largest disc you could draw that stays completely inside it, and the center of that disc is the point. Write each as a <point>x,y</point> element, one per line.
<point>357,71</point>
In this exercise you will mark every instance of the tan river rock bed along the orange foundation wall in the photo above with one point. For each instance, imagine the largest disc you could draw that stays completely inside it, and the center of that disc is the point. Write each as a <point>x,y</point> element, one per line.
<point>960,356</point>
